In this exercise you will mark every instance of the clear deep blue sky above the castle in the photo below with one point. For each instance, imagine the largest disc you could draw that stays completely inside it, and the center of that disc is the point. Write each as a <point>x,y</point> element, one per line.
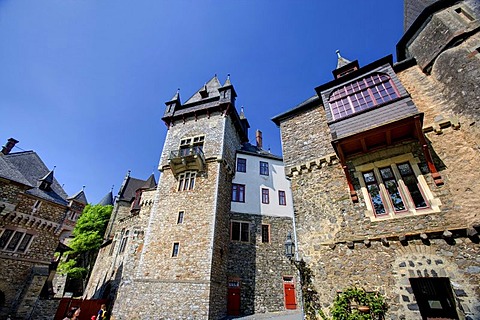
<point>83,82</point>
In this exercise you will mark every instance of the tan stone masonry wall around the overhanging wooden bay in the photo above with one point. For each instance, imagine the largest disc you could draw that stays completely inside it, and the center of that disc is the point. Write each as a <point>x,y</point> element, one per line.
<point>327,220</point>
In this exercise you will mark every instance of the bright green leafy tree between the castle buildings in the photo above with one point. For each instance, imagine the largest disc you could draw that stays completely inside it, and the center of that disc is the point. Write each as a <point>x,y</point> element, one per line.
<point>88,236</point>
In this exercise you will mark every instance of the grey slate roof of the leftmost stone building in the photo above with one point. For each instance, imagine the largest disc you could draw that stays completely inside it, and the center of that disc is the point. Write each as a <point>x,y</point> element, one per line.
<point>27,168</point>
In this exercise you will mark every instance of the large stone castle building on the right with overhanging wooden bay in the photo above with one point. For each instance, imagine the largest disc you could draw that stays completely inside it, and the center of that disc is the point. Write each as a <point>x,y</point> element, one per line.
<point>383,166</point>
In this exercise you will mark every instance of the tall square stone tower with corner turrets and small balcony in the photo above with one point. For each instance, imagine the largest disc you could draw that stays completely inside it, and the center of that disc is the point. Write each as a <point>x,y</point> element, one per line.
<point>182,267</point>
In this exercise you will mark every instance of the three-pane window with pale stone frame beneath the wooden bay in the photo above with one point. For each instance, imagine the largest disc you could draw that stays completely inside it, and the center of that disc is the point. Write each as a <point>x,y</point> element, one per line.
<point>394,187</point>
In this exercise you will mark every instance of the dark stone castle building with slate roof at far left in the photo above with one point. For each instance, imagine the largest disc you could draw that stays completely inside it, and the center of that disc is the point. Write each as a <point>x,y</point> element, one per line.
<point>36,216</point>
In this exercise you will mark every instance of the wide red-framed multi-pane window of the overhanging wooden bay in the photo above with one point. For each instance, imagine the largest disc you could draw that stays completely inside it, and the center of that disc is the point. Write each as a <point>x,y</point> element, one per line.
<point>362,94</point>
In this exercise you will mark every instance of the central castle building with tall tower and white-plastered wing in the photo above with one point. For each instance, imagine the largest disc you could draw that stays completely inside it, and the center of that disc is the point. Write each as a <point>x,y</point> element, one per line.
<point>208,240</point>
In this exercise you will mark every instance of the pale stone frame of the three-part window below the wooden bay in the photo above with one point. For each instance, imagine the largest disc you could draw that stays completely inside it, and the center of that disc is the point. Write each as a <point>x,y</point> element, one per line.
<point>433,204</point>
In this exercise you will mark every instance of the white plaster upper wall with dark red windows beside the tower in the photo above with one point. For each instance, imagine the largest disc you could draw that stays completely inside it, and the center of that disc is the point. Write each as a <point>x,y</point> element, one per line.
<point>254,182</point>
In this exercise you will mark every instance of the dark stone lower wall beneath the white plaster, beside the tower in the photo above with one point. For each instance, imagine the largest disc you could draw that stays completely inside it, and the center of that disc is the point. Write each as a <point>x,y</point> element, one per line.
<point>260,267</point>
